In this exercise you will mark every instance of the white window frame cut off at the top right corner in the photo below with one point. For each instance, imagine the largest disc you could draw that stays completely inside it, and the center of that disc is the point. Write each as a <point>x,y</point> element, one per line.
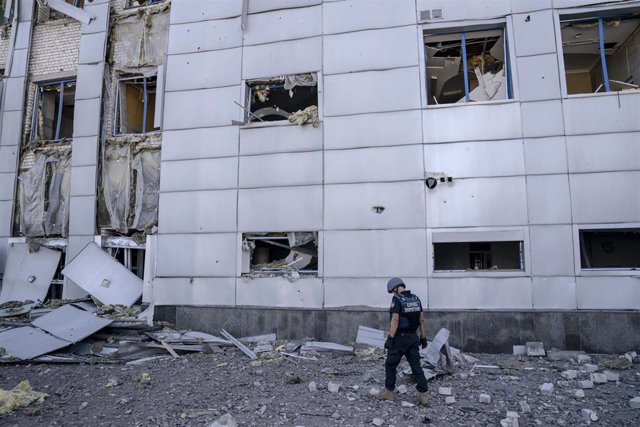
<point>590,13</point>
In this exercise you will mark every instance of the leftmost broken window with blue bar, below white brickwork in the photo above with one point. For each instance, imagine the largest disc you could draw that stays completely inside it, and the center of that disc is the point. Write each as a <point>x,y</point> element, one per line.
<point>53,111</point>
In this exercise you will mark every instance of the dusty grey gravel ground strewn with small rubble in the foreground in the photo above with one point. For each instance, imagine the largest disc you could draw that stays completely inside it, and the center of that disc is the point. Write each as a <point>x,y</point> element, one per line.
<point>197,389</point>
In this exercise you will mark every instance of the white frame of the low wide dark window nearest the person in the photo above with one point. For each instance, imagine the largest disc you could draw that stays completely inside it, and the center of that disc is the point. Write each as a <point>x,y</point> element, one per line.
<point>480,234</point>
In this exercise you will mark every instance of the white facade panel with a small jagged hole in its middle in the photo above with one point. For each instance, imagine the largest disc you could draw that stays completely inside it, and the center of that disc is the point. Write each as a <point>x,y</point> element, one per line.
<point>403,204</point>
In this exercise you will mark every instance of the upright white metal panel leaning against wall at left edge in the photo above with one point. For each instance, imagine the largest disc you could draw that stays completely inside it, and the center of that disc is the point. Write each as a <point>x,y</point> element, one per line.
<point>28,274</point>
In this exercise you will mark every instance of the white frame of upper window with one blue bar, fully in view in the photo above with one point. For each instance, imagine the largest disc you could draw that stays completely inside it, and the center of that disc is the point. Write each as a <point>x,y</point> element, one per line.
<point>457,28</point>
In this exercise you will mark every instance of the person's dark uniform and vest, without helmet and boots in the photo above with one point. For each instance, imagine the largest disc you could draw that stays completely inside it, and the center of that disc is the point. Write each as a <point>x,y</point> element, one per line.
<point>405,340</point>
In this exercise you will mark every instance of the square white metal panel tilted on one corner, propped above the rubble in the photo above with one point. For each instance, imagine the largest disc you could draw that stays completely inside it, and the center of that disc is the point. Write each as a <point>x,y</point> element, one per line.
<point>103,277</point>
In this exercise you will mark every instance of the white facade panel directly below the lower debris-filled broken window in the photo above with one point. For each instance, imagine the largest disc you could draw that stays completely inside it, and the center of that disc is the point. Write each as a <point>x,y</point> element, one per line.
<point>279,292</point>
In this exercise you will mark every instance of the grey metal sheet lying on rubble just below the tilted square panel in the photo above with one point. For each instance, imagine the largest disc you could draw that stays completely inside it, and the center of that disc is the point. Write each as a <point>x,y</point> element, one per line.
<point>70,323</point>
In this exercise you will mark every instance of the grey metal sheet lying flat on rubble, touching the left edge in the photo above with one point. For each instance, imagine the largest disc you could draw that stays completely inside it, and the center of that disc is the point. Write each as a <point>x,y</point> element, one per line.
<point>28,342</point>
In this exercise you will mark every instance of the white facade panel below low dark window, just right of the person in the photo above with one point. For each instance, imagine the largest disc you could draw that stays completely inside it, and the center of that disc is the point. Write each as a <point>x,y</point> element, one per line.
<point>480,293</point>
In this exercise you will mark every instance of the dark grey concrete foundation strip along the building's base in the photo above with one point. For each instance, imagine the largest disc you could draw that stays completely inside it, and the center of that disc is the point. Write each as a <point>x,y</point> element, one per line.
<point>472,331</point>
